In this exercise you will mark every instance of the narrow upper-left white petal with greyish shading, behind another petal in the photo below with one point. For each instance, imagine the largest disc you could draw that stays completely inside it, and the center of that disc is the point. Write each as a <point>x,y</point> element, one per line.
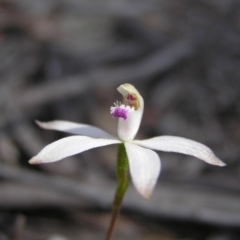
<point>75,128</point>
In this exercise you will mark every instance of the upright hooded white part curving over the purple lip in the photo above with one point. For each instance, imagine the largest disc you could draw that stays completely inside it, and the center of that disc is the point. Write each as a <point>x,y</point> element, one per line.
<point>127,129</point>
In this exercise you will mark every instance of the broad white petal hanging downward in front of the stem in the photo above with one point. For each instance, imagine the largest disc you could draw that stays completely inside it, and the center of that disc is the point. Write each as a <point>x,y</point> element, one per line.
<point>144,167</point>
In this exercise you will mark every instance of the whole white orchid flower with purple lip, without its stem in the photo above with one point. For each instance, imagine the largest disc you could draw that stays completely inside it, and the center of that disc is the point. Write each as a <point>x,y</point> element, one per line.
<point>144,163</point>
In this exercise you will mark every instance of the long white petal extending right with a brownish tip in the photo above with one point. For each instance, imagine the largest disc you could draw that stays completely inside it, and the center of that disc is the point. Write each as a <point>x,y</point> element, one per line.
<point>181,145</point>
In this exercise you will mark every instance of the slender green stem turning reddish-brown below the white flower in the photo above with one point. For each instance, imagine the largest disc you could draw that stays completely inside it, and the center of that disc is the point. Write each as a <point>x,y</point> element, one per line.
<point>122,185</point>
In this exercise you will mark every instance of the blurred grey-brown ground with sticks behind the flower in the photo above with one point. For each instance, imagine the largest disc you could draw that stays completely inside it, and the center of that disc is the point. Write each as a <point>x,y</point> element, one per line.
<point>64,59</point>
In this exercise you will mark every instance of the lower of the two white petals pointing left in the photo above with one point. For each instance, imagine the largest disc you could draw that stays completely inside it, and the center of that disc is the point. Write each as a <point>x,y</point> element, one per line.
<point>69,146</point>
